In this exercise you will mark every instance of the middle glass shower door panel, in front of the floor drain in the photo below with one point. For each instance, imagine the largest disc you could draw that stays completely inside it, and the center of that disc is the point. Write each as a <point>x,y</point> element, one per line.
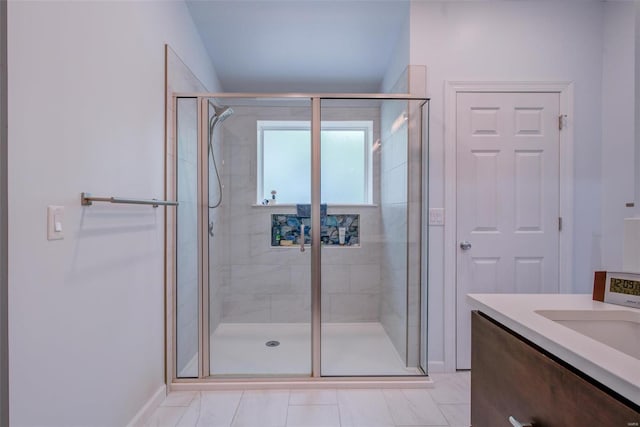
<point>258,277</point>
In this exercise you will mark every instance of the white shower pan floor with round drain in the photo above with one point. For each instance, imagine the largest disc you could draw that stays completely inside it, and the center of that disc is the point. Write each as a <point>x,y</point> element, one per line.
<point>348,349</point>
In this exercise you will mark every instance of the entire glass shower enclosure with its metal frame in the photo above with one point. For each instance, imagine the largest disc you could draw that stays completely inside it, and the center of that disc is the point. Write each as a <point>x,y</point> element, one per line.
<point>299,247</point>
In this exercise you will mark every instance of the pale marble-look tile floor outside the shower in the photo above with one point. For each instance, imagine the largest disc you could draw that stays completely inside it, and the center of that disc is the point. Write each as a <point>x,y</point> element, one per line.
<point>446,404</point>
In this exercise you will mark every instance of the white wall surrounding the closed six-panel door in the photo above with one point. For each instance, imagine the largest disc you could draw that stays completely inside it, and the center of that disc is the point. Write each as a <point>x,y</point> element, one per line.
<point>513,41</point>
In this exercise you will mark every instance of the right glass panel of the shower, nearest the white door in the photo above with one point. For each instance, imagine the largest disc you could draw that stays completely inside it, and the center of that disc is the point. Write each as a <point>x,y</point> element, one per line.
<point>370,183</point>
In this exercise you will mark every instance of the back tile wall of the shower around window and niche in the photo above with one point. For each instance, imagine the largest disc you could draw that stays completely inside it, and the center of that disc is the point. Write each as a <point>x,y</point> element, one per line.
<point>267,284</point>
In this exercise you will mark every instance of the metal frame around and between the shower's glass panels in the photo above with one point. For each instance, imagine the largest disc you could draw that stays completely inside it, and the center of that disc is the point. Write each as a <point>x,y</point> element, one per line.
<point>416,255</point>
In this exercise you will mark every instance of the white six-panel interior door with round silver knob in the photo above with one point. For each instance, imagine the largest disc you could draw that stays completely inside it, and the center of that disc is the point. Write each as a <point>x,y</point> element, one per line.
<point>507,199</point>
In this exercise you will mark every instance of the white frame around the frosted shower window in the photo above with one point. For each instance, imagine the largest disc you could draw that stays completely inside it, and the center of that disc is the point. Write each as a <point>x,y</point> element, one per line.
<point>349,125</point>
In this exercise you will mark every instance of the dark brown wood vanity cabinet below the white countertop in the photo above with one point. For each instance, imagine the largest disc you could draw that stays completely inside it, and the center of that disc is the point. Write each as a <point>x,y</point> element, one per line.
<point>512,377</point>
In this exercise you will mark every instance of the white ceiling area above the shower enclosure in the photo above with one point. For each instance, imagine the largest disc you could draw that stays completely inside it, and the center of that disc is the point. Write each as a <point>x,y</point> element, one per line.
<point>300,45</point>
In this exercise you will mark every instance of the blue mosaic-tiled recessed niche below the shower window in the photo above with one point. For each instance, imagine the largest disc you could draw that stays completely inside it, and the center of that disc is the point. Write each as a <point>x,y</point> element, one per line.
<point>287,227</point>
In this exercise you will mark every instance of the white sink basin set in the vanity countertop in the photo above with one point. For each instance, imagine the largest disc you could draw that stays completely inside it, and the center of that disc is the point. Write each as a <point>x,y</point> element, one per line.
<point>616,328</point>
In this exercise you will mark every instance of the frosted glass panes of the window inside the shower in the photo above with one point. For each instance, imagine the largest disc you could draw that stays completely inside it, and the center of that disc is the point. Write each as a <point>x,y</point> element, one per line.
<point>284,161</point>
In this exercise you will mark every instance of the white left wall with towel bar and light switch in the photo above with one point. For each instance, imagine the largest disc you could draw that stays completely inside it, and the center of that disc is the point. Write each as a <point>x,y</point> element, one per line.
<point>87,114</point>
